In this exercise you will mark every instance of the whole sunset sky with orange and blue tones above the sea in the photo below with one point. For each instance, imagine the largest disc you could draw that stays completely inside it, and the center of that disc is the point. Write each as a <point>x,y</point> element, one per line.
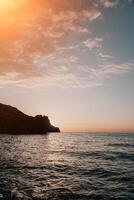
<point>71,60</point>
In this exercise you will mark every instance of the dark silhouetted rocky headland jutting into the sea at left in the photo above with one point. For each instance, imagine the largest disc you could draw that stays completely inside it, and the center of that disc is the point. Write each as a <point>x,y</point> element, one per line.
<point>13,121</point>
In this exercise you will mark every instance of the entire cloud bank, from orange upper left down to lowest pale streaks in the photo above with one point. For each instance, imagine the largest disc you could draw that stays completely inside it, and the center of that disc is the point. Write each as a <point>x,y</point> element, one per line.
<point>39,40</point>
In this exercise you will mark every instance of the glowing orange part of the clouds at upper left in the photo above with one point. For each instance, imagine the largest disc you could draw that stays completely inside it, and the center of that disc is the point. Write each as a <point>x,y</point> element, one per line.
<point>38,28</point>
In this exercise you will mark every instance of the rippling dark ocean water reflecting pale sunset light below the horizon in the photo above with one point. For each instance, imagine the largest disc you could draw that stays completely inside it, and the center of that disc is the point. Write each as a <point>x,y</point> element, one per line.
<point>83,166</point>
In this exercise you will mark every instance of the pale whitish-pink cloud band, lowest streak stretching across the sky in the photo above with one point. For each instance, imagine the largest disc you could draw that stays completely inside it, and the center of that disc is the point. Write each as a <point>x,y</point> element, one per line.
<point>73,76</point>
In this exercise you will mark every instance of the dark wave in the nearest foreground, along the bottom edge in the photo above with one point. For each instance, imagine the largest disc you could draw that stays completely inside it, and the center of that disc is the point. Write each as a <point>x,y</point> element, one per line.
<point>54,194</point>
